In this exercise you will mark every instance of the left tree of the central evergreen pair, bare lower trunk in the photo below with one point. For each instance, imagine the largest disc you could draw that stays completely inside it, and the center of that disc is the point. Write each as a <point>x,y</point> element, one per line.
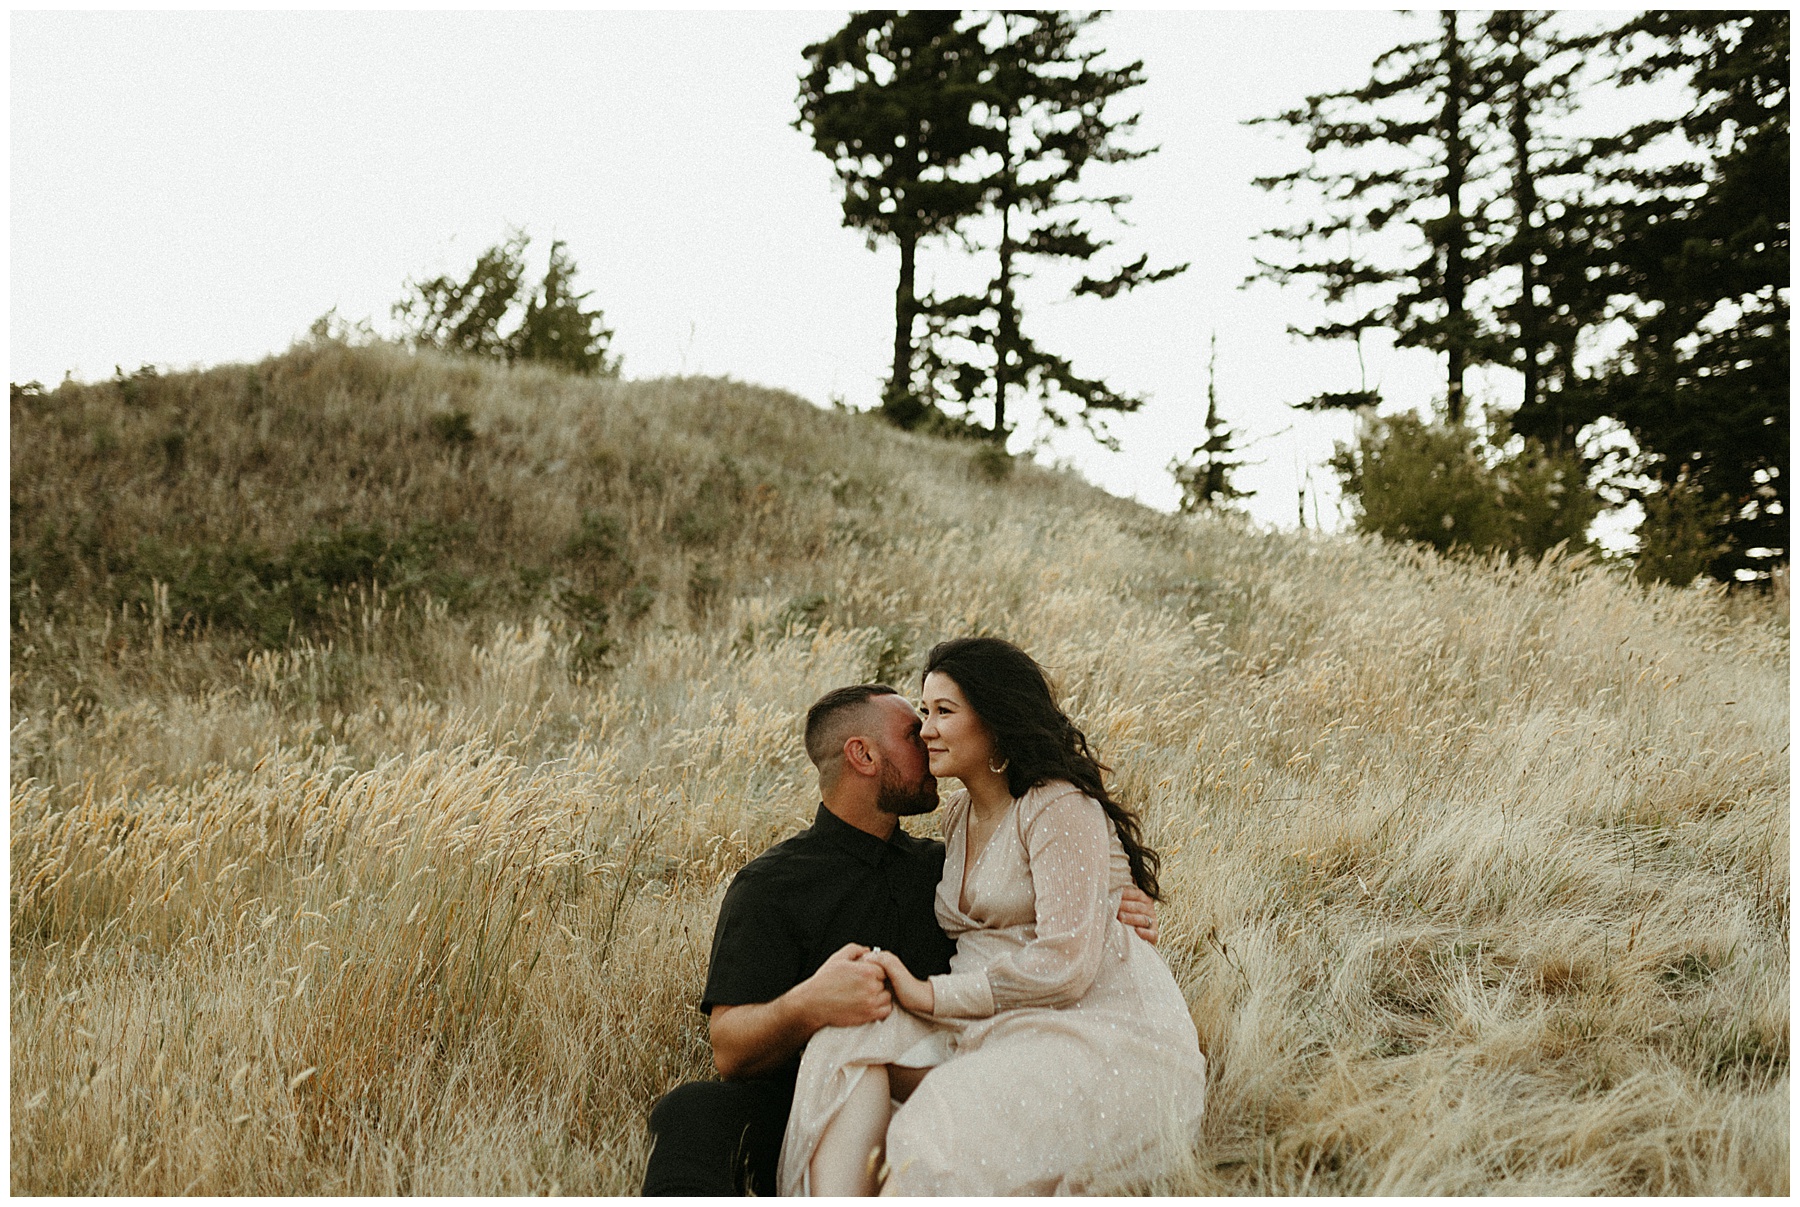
<point>888,98</point>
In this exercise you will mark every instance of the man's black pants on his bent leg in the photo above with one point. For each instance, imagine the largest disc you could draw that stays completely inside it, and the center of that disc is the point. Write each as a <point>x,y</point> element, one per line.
<point>717,1138</point>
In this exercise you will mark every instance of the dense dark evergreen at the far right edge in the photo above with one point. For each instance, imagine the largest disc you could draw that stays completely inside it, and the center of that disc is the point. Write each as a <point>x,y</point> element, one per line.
<point>1700,249</point>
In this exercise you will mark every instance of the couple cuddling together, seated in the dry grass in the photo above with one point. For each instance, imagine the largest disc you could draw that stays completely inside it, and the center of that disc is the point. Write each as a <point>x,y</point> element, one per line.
<point>976,1017</point>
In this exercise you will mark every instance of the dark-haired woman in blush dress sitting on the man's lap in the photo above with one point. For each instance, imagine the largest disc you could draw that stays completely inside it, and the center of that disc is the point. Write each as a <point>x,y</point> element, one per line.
<point>1057,1053</point>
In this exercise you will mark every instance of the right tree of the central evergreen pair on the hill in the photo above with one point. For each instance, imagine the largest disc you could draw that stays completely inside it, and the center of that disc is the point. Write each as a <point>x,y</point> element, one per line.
<point>1048,107</point>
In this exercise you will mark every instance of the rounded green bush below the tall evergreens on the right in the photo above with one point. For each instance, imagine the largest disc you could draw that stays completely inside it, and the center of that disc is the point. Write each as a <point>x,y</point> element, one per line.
<point>1450,488</point>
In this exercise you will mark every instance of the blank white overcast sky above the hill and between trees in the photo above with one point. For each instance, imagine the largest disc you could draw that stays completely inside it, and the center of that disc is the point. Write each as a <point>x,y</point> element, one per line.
<point>199,188</point>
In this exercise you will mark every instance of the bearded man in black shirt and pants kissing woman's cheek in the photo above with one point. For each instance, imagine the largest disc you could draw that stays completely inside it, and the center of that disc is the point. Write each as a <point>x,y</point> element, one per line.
<point>796,922</point>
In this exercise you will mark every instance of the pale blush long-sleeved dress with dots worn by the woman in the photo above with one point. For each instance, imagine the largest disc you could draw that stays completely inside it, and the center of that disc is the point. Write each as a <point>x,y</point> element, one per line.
<point>1061,1051</point>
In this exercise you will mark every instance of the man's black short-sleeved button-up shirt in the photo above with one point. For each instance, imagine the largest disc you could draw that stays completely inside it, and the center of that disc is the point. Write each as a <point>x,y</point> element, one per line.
<point>811,895</point>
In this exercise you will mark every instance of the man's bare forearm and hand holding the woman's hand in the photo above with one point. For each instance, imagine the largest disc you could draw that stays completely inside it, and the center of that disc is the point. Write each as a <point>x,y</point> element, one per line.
<point>760,1037</point>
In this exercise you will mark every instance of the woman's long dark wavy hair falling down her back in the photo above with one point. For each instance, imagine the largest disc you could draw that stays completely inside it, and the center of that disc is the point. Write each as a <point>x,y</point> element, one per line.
<point>1038,740</point>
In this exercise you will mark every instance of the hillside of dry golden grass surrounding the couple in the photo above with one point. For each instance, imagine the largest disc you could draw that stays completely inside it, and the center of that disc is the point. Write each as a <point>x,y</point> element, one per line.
<point>1477,875</point>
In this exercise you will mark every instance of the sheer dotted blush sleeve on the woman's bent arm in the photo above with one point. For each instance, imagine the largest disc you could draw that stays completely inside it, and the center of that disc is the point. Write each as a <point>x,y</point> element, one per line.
<point>1070,845</point>
